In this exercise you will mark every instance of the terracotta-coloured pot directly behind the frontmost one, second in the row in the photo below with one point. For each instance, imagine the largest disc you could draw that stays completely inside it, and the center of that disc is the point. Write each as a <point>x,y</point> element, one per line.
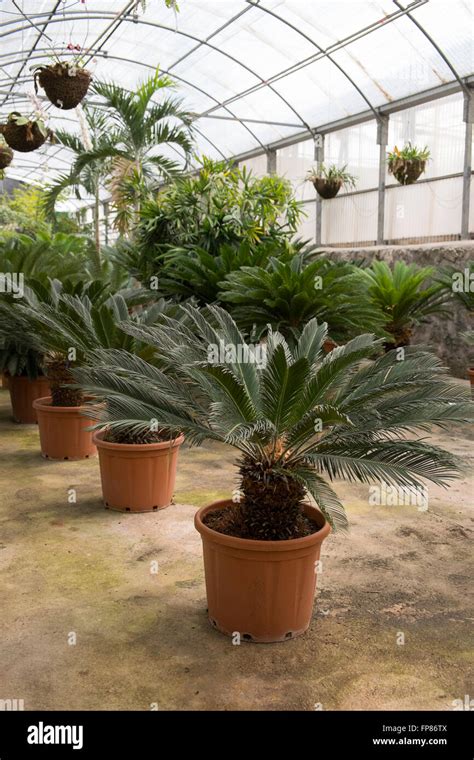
<point>137,477</point>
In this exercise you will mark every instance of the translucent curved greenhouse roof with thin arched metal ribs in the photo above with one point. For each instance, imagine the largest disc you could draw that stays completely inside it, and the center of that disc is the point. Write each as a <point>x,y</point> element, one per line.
<point>257,74</point>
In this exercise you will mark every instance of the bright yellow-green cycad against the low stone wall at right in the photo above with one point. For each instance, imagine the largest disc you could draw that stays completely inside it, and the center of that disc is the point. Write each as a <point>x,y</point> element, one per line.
<point>406,295</point>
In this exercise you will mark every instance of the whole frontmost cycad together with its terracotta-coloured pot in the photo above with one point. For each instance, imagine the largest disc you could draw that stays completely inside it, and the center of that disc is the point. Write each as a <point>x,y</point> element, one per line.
<point>298,416</point>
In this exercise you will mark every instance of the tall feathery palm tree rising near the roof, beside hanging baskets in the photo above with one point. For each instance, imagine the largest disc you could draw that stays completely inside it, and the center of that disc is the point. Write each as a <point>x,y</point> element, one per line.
<point>127,130</point>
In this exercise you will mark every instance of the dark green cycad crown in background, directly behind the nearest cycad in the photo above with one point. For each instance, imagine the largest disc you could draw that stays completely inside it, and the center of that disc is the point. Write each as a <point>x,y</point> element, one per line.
<point>286,294</point>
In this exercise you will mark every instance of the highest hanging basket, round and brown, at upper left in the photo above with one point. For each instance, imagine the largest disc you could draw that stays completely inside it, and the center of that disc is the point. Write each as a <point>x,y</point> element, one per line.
<point>65,86</point>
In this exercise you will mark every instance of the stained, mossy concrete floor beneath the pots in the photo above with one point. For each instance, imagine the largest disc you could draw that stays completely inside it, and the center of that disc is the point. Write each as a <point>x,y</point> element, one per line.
<point>143,639</point>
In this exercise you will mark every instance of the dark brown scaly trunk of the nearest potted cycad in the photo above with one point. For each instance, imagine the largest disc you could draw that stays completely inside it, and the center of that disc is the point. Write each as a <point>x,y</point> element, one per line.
<point>272,503</point>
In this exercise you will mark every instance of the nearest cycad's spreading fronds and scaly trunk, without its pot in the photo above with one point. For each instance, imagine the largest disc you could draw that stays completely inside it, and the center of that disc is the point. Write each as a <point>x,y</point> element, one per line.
<point>294,415</point>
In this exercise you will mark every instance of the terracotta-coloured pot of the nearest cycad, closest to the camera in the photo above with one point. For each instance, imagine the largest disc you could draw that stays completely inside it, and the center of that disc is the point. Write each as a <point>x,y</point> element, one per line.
<point>263,590</point>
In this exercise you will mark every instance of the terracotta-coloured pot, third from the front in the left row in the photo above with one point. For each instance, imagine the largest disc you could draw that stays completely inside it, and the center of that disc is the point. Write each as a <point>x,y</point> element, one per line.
<point>62,430</point>
